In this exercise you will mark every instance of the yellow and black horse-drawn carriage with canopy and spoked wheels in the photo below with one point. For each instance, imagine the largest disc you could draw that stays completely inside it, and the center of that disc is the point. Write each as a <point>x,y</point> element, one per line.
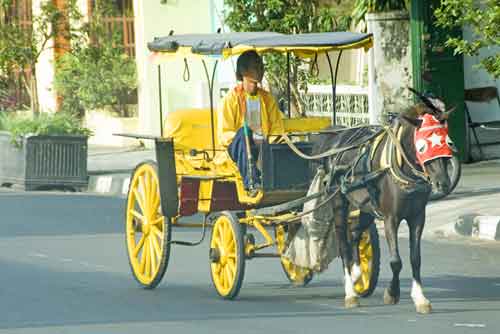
<point>193,174</point>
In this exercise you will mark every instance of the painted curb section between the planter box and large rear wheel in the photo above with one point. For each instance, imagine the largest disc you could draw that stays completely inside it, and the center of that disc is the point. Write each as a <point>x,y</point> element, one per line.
<point>116,183</point>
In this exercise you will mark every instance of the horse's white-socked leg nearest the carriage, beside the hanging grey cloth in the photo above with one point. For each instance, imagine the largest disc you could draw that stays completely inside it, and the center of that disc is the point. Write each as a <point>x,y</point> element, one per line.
<point>345,250</point>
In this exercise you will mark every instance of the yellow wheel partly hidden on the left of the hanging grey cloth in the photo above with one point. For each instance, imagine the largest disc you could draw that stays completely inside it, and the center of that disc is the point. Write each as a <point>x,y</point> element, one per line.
<point>299,276</point>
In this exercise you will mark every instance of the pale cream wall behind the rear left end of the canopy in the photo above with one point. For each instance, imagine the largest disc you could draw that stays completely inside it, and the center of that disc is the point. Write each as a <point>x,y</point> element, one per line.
<point>153,19</point>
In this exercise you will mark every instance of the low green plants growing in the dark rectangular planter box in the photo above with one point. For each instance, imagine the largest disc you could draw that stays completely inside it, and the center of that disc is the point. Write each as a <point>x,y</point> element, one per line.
<point>22,124</point>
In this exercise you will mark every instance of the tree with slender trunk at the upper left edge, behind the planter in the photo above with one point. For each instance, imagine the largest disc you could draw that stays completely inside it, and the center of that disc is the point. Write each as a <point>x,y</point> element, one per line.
<point>20,49</point>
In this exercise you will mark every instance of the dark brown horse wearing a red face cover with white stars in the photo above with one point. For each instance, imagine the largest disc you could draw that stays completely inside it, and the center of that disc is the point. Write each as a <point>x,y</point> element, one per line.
<point>387,173</point>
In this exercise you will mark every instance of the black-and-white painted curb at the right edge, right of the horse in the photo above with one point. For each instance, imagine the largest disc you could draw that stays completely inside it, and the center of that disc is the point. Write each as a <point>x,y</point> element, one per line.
<point>479,226</point>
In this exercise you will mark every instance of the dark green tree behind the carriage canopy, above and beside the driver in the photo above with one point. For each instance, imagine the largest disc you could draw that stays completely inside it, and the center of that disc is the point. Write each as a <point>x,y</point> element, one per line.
<point>290,17</point>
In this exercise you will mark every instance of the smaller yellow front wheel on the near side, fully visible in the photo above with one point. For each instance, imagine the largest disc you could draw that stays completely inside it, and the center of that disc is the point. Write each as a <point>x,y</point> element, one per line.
<point>227,255</point>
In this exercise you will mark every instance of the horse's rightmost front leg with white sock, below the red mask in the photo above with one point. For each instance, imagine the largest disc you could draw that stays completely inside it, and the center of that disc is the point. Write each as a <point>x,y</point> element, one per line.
<point>416,227</point>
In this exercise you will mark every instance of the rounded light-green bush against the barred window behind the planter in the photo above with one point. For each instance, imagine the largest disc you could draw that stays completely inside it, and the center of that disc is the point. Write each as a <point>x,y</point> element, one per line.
<point>96,74</point>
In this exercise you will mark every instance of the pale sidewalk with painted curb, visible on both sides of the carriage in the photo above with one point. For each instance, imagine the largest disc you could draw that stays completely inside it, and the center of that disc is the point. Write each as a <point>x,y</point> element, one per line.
<point>477,194</point>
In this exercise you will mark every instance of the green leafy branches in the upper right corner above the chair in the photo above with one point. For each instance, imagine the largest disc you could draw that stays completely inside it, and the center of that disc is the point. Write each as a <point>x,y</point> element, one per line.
<point>483,17</point>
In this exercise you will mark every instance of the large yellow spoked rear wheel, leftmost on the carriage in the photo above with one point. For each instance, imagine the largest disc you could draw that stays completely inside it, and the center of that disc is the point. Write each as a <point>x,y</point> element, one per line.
<point>147,230</point>
